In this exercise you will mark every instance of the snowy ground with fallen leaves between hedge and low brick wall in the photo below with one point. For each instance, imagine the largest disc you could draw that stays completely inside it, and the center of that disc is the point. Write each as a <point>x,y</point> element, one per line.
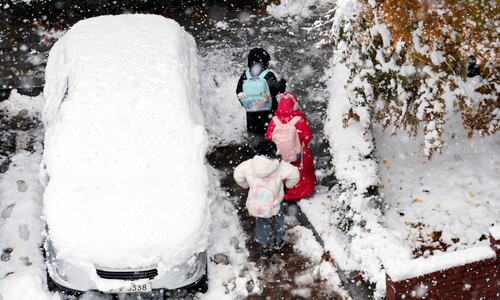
<point>447,203</point>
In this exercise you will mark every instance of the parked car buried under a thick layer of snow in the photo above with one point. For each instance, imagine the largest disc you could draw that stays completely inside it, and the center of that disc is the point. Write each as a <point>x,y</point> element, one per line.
<point>125,199</point>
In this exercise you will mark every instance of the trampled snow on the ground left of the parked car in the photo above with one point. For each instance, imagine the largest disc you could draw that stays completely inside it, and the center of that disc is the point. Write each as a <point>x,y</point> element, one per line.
<point>22,272</point>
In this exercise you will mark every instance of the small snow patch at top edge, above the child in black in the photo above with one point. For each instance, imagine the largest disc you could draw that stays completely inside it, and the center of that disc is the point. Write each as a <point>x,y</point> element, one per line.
<point>291,8</point>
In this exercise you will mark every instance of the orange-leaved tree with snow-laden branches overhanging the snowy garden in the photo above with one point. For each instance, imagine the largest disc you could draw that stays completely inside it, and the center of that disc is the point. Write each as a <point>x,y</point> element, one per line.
<point>412,62</point>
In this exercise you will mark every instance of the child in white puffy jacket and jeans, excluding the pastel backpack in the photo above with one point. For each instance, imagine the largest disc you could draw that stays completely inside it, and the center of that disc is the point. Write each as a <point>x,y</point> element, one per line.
<point>263,164</point>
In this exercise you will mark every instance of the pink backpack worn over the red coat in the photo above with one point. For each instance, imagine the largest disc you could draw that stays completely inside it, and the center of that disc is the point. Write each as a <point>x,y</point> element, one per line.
<point>286,138</point>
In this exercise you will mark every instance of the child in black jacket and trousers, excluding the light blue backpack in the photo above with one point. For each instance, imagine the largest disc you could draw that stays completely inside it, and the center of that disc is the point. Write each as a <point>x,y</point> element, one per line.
<point>257,121</point>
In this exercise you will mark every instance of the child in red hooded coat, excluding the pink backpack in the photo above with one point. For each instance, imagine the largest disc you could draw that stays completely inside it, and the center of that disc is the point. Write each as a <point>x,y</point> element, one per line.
<point>287,109</point>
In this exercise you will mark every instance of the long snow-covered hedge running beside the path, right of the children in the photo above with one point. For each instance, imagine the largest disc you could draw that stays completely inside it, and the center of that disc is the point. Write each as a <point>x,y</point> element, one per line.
<point>349,122</point>
